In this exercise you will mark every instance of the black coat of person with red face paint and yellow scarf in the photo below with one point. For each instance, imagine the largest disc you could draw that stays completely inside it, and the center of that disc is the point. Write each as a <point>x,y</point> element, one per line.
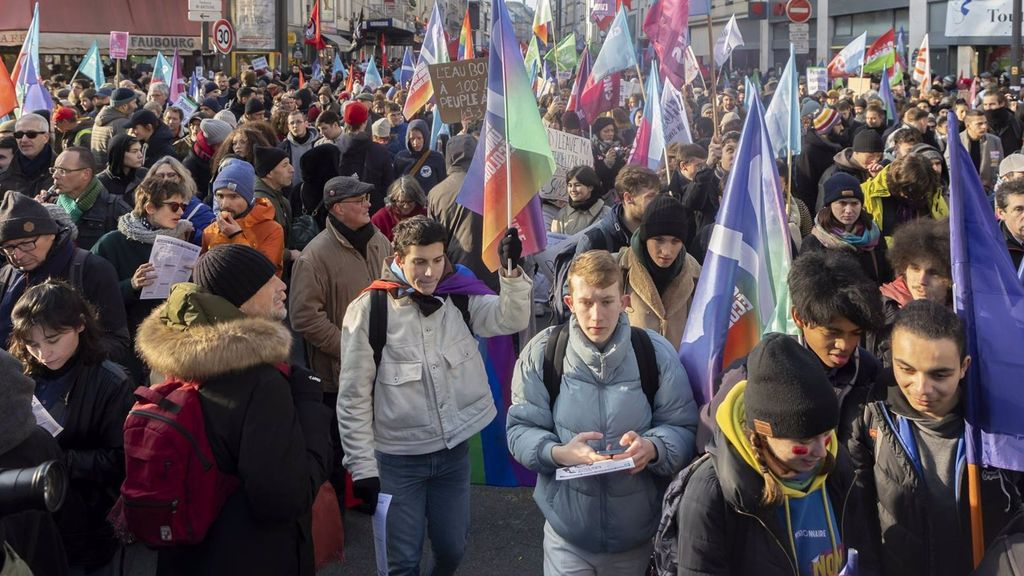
<point>727,531</point>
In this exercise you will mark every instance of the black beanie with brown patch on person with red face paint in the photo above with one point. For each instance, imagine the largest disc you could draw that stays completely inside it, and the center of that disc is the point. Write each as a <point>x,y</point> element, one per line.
<point>788,393</point>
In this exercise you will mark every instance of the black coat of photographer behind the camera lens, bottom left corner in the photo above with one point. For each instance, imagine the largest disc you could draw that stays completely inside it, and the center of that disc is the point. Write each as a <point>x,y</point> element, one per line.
<point>34,534</point>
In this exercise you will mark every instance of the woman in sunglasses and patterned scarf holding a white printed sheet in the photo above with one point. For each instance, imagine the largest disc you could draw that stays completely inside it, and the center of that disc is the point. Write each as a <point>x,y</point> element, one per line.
<point>160,207</point>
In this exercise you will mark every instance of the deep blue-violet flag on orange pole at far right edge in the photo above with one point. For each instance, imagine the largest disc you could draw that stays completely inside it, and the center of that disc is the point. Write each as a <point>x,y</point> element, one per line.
<point>990,299</point>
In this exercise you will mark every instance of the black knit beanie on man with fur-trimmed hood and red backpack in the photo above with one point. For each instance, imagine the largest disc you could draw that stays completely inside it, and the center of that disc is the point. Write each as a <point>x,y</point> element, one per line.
<point>234,272</point>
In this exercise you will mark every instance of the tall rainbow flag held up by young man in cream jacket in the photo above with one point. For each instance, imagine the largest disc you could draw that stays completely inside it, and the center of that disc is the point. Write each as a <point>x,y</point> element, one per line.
<point>510,166</point>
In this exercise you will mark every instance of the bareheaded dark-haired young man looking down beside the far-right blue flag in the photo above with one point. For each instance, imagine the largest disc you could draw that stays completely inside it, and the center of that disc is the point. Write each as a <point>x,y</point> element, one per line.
<point>910,452</point>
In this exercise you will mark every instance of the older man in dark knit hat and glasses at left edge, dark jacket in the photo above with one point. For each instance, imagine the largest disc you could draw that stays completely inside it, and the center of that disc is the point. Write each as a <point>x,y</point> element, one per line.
<point>35,249</point>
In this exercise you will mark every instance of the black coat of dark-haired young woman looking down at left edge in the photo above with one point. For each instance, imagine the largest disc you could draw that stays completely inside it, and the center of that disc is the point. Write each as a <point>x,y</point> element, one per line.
<point>98,404</point>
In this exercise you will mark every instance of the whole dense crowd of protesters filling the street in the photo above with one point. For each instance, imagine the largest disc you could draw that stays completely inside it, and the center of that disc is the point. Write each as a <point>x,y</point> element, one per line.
<point>320,208</point>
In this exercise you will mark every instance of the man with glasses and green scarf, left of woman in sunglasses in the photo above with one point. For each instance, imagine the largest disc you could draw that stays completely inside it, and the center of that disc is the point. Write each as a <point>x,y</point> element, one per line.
<point>92,208</point>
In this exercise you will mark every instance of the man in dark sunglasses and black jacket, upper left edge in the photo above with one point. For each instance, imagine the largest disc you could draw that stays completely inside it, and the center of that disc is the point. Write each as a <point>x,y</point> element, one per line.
<point>29,171</point>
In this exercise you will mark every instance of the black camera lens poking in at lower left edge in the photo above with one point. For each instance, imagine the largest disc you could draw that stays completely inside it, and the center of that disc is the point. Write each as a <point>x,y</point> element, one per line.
<point>38,488</point>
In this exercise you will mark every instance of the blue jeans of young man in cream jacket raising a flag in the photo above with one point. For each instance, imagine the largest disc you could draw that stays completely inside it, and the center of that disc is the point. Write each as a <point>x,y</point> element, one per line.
<point>430,495</point>
